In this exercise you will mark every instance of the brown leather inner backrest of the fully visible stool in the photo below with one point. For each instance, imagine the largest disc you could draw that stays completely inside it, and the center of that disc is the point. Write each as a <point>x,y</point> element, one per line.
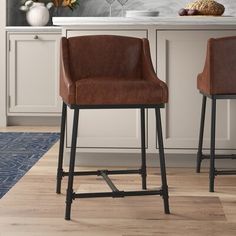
<point>105,56</point>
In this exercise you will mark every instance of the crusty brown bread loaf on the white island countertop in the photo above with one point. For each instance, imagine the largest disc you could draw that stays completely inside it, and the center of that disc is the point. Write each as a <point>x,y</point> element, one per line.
<point>207,7</point>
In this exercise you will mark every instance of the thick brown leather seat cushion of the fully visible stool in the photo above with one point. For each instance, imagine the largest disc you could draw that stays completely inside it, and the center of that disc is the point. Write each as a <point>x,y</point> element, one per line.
<point>105,91</point>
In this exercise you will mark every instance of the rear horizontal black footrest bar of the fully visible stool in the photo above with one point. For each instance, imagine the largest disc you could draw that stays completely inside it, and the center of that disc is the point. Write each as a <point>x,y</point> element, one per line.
<point>108,172</point>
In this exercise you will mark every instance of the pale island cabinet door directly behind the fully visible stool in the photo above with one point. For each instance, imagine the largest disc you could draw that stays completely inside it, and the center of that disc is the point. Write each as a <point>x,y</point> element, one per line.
<point>106,128</point>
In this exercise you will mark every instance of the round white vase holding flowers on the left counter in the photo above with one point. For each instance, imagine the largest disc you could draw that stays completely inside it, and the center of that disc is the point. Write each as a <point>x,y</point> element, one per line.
<point>38,14</point>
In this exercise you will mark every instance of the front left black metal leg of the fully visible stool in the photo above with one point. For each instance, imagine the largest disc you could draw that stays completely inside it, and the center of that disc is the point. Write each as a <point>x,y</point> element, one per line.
<point>69,196</point>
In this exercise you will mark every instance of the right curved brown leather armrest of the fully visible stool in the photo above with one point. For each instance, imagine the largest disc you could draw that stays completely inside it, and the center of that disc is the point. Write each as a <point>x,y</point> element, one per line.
<point>148,71</point>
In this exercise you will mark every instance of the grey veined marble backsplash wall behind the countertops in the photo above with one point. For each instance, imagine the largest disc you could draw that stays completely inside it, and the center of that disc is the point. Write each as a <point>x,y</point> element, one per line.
<point>101,8</point>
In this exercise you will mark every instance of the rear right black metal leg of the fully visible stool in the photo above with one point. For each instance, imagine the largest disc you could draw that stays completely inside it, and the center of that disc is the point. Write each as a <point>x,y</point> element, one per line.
<point>143,150</point>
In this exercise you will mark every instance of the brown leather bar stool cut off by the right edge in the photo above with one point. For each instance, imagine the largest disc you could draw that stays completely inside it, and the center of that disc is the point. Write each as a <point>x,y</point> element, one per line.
<point>217,81</point>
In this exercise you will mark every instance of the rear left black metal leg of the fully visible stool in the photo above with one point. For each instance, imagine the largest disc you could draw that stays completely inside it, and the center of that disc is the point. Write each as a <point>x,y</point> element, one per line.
<point>61,149</point>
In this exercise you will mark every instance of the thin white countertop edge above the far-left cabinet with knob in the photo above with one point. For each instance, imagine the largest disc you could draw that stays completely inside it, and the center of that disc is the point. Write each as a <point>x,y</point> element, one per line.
<point>50,29</point>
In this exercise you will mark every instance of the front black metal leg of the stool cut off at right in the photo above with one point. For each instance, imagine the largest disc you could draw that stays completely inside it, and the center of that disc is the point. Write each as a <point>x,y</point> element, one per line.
<point>212,154</point>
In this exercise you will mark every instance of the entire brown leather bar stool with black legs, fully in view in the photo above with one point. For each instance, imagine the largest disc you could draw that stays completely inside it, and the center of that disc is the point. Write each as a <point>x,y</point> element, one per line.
<point>108,72</point>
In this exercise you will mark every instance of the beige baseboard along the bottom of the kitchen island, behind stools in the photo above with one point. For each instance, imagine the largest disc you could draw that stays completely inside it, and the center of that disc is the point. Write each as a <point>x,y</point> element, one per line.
<point>134,160</point>
